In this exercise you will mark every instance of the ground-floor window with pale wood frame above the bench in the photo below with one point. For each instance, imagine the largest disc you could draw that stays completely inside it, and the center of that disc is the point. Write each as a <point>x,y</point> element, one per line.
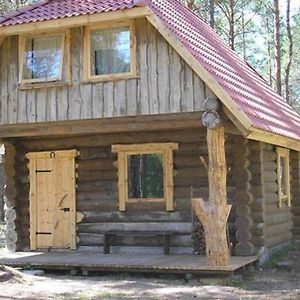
<point>145,173</point>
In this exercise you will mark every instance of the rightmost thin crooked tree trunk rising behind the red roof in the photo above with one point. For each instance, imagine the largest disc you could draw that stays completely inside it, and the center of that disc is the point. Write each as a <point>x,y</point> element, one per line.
<point>290,51</point>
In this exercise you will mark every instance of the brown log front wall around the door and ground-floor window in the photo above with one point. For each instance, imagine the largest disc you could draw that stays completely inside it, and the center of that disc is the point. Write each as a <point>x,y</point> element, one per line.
<point>97,194</point>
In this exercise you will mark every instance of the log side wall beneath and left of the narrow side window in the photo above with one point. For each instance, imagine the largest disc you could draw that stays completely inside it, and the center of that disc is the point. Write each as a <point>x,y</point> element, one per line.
<point>278,222</point>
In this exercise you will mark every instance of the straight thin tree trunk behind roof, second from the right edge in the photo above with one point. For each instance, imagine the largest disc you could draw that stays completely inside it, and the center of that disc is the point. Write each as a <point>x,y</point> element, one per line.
<point>277,46</point>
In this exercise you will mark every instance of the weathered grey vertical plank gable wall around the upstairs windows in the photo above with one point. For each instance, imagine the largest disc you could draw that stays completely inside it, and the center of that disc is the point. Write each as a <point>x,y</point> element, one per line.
<point>165,84</point>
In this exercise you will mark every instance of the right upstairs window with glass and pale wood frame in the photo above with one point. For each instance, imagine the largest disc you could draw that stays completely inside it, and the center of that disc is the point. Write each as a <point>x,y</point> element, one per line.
<point>110,52</point>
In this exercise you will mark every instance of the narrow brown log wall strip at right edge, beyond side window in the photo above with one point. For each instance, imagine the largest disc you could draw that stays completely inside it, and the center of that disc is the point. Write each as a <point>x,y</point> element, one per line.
<point>295,189</point>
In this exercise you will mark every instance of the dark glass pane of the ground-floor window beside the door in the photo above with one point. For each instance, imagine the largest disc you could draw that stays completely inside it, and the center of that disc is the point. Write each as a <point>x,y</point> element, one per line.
<point>145,176</point>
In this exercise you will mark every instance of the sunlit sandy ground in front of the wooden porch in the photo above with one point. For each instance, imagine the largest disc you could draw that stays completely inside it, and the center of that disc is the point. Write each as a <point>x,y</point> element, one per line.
<point>280,279</point>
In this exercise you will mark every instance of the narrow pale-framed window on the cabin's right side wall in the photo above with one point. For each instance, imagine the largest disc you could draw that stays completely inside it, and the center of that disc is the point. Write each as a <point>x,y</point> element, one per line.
<point>283,176</point>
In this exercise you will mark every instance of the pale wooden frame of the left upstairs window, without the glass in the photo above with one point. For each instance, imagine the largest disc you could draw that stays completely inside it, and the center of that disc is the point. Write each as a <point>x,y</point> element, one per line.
<point>64,62</point>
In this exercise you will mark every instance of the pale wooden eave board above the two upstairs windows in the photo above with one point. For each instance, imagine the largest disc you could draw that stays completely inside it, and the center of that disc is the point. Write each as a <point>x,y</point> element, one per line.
<point>75,21</point>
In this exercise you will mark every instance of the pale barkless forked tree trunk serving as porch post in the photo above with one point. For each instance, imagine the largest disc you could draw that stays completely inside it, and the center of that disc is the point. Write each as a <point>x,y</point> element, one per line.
<point>214,213</point>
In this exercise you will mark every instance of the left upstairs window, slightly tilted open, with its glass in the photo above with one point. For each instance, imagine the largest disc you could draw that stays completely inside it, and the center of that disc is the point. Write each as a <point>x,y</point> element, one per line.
<point>42,58</point>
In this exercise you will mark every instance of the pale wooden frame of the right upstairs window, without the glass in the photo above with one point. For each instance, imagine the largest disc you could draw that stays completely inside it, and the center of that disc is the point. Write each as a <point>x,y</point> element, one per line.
<point>87,72</point>
